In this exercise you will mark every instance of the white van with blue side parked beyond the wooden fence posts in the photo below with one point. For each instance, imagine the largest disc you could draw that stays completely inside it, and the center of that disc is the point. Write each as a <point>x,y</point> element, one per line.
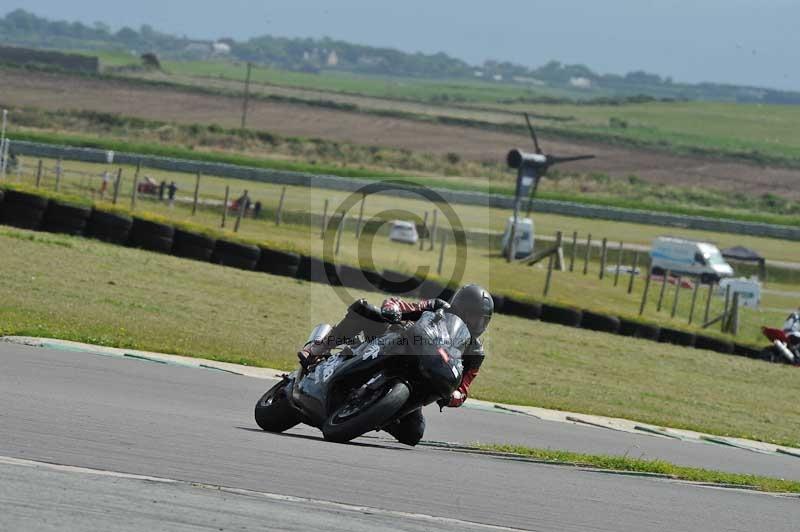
<point>688,257</point>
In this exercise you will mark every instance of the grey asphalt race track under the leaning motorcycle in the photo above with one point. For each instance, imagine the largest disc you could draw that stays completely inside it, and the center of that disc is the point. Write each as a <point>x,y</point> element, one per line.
<point>115,422</point>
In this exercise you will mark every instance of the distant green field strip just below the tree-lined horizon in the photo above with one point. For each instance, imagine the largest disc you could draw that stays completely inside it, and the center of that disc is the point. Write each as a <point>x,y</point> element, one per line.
<point>744,129</point>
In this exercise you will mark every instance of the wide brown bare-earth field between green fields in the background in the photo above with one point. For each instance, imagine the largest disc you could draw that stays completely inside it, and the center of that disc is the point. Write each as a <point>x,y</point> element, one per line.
<point>58,91</point>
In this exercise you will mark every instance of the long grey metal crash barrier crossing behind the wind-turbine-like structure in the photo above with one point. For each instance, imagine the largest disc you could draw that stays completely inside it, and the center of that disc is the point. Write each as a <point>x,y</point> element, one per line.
<point>451,196</point>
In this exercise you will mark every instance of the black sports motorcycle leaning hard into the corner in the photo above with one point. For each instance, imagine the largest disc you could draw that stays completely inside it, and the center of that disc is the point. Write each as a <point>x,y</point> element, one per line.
<point>372,384</point>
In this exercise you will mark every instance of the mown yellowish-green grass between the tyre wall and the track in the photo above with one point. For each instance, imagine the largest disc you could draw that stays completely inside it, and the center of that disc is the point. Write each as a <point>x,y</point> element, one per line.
<point>77,289</point>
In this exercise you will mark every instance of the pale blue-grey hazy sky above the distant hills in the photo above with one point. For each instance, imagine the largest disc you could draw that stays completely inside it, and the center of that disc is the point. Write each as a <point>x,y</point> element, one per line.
<point>739,41</point>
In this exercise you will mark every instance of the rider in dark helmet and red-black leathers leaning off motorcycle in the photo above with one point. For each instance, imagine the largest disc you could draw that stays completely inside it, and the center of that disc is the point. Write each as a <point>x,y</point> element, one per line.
<point>471,303</point>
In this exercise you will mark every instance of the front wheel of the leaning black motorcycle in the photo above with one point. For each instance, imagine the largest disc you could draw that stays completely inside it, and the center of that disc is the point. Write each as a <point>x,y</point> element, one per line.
<point>360,414</point>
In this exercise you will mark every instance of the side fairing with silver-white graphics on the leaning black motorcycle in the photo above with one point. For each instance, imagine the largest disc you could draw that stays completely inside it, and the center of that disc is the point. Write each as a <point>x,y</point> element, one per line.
<point>314,394</point>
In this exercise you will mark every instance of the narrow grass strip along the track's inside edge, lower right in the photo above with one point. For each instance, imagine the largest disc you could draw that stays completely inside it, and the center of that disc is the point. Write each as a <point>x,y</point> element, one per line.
<point>659,467</point>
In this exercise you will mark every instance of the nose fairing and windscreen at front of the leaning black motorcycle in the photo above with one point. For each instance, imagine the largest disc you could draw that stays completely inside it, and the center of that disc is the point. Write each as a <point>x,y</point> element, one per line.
<point>439,343</point>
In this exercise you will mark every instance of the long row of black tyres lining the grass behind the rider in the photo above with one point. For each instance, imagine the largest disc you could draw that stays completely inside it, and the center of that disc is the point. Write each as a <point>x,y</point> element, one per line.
<point>161,237</point>
